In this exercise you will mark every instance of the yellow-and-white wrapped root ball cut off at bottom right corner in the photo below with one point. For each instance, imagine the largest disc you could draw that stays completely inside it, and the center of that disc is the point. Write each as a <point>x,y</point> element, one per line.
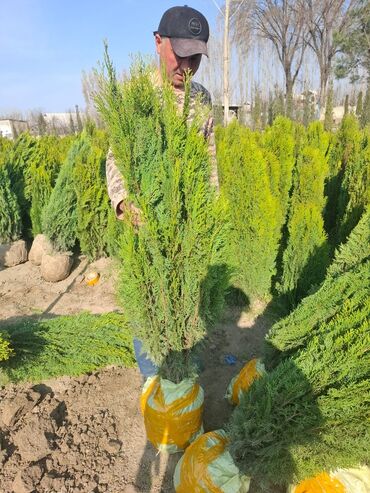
<point>340,481</point>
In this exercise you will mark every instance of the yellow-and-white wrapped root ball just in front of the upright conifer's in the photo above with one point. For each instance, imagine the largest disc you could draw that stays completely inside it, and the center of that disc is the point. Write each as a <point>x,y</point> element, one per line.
<point>208,467</point>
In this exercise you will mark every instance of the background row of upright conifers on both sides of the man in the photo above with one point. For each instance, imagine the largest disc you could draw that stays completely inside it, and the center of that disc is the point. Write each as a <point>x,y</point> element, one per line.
<point>294,195</point>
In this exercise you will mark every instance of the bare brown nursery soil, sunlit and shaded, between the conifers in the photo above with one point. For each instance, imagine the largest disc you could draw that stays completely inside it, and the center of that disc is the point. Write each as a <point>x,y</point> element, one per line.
<point>86,434</point>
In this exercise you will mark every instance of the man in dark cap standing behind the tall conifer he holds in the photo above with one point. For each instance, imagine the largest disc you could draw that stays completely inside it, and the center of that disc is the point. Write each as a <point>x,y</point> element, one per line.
<point>181,40</point>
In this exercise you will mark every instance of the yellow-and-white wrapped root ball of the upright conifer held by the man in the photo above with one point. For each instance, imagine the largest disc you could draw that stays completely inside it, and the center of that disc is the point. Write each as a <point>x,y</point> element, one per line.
<point>172,413</point>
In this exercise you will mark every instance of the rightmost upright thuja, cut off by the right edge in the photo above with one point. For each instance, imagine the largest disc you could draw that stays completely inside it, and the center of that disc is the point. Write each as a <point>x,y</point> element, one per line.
<point>354,194</point>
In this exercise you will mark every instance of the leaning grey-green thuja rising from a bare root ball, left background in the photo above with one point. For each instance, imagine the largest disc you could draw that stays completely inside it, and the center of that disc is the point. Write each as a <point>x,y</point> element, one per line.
<point>59,218</point>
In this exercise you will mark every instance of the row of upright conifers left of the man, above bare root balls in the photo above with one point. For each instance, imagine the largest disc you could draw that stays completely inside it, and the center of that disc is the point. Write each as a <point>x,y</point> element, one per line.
<point>57,186</point>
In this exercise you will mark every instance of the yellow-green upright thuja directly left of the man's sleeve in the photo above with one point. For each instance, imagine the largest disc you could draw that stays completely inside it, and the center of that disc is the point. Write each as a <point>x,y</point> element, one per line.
<point>91,190</point>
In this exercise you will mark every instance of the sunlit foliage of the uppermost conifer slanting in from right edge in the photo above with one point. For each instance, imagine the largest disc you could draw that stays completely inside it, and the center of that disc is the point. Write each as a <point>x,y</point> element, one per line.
<point>348,278</point>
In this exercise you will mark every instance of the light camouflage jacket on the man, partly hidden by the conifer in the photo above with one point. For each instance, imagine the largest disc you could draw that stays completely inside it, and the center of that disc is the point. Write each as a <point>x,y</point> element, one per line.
<point>116,187</point>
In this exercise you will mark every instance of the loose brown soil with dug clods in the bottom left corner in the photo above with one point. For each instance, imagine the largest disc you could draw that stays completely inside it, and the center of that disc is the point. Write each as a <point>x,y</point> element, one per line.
<point>76,435</point>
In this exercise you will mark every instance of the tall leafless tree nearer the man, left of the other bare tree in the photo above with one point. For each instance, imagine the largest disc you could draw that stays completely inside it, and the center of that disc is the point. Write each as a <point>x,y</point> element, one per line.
<point>283,23</point>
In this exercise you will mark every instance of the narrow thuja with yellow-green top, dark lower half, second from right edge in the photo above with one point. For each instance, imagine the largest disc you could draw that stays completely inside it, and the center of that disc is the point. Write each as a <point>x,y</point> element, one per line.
<point>345,149</point>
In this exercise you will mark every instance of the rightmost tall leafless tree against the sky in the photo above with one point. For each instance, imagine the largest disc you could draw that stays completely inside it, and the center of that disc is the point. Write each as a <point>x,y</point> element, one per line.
<point>323,18</point>
